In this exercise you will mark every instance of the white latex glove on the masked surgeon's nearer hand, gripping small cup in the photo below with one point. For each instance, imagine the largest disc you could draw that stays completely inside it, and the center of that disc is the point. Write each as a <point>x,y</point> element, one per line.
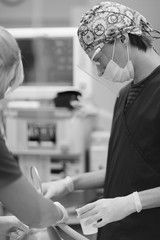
<point>107,210</point>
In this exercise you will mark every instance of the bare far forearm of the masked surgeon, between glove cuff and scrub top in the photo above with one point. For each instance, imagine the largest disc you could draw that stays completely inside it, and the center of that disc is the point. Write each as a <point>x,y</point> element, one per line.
<point>90,180</point>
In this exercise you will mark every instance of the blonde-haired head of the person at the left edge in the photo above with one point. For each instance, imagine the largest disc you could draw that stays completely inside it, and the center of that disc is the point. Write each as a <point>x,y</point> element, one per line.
<point>11,68</point>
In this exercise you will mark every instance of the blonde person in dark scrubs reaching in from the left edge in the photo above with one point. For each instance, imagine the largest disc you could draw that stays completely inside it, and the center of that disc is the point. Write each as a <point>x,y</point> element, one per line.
<point>16,193</point>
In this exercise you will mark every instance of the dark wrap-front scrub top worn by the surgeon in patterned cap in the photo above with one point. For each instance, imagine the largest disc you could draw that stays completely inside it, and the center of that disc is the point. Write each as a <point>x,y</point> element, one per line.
<point>134,160</point>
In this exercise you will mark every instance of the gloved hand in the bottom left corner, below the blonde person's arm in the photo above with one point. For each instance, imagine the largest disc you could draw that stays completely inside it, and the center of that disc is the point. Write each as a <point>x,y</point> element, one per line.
<point>10,225</point>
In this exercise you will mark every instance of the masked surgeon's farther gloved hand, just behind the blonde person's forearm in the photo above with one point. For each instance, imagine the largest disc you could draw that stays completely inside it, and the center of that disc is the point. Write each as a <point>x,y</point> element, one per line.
<point>57,188</point>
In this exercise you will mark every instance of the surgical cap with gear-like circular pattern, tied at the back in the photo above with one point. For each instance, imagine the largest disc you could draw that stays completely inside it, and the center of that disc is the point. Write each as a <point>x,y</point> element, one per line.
<point>107,21</point>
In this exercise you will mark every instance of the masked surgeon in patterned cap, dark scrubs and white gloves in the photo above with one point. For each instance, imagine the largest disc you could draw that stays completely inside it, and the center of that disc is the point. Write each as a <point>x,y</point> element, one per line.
<point>119,41</point>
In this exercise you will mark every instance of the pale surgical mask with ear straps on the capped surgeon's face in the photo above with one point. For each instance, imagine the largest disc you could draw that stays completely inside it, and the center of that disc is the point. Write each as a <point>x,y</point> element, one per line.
<point>115,73</point>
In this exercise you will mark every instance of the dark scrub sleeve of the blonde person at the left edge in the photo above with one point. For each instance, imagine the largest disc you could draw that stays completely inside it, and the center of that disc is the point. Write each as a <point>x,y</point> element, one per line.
<point>9,169</point>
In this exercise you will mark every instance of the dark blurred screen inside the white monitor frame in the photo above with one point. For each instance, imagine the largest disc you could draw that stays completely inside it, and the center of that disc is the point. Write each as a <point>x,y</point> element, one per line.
<point>47,60</point>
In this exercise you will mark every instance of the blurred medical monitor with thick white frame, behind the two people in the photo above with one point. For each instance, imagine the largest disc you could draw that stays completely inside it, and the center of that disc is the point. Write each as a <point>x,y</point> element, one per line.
<point>49,58</point>
